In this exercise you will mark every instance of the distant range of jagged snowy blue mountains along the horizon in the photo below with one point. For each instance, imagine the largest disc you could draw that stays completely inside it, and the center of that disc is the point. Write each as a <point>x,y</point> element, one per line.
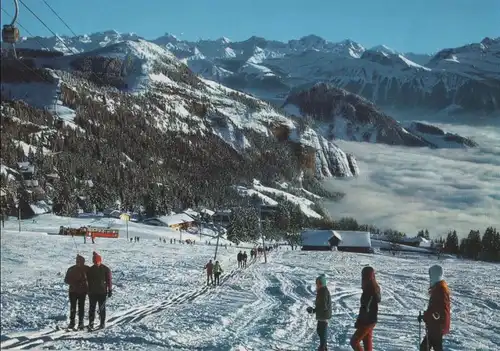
<point>466,78</point>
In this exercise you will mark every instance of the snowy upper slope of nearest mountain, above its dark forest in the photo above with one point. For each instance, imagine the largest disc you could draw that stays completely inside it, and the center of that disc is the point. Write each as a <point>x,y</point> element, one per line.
<point>178,100</point>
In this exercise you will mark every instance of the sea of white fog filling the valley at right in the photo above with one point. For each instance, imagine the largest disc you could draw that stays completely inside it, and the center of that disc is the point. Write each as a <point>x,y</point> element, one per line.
<point>414,188</point>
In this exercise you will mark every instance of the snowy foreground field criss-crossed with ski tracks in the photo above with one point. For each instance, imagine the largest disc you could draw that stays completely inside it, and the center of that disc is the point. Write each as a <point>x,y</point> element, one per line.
<point>161,301</point>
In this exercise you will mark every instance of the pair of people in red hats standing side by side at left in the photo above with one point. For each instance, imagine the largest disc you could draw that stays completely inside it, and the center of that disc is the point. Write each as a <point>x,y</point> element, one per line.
<point>94,281</point>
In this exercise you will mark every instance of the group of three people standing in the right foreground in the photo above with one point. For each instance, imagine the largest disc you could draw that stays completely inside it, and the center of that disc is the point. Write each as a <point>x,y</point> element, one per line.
<point>436,318</point>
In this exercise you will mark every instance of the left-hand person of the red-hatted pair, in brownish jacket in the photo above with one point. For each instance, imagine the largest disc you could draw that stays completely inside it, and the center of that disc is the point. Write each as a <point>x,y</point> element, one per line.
<point>76,278</point>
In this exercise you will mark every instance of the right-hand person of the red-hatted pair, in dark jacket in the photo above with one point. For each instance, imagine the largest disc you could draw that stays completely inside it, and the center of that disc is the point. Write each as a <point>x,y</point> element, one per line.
<point>99,279</point>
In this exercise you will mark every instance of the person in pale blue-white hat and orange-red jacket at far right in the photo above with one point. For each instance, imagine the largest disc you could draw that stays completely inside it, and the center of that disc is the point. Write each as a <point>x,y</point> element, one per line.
<point>437,317</point>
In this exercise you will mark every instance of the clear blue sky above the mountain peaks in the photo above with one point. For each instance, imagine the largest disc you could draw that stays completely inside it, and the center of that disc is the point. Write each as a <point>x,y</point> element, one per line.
<point>418,26</point>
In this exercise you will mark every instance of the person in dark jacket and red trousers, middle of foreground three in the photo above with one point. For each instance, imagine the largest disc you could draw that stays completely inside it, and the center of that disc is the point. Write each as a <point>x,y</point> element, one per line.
<point>368,311</point>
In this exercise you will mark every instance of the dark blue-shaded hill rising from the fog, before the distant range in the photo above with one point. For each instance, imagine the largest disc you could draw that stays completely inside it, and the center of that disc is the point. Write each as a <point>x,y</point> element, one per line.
<point>338,114</point>
